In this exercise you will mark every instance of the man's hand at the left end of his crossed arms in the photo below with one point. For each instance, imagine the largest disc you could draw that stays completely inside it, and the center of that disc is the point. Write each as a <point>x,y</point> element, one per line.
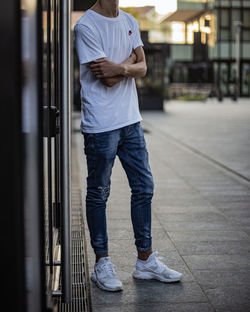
<point>103,68</point>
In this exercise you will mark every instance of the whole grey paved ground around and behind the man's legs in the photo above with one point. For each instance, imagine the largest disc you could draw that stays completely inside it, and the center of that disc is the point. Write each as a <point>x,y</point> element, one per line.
<point>200,212</point>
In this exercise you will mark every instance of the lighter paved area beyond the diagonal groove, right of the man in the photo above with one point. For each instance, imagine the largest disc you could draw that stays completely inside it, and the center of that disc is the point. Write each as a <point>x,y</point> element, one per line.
<point>221,131</point>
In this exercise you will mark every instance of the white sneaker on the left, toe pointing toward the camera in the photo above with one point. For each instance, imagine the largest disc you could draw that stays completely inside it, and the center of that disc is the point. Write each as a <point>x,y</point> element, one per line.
<point>104,275</point>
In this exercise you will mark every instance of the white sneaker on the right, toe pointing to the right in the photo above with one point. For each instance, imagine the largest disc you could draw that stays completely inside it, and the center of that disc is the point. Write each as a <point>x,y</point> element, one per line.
<point>153,268</point>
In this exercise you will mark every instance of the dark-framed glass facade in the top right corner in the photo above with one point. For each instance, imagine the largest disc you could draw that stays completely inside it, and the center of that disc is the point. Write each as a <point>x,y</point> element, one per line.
<point>233,17</point>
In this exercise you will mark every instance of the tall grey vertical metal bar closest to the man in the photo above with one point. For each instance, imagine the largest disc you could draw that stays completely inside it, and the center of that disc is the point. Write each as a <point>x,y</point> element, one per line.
<point>65,165</point>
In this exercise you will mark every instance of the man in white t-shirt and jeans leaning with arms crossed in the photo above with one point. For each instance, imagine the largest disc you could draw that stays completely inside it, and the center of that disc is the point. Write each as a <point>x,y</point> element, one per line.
<point>110,53</point>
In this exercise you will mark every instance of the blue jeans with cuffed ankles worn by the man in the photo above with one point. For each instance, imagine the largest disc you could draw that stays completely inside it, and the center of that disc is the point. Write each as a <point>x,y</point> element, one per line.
<point>101,150</point>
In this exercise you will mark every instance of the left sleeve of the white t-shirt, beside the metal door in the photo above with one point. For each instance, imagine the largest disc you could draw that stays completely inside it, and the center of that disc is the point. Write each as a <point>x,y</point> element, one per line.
<point>88,46</point>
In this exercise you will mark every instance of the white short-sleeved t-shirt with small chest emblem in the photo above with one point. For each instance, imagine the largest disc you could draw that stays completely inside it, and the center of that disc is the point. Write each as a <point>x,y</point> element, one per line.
<point>96,36</point>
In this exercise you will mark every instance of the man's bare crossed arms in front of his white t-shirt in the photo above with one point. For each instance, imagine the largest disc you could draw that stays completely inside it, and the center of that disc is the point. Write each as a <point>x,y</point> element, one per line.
<point>111,73</point>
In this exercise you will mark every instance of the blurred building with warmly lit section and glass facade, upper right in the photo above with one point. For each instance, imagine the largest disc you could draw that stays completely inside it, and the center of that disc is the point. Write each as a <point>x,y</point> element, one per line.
<point>204,45</point>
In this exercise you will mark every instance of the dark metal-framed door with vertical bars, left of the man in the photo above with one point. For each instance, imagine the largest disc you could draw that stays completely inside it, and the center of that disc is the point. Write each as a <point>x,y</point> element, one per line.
<point>57,146</point>
